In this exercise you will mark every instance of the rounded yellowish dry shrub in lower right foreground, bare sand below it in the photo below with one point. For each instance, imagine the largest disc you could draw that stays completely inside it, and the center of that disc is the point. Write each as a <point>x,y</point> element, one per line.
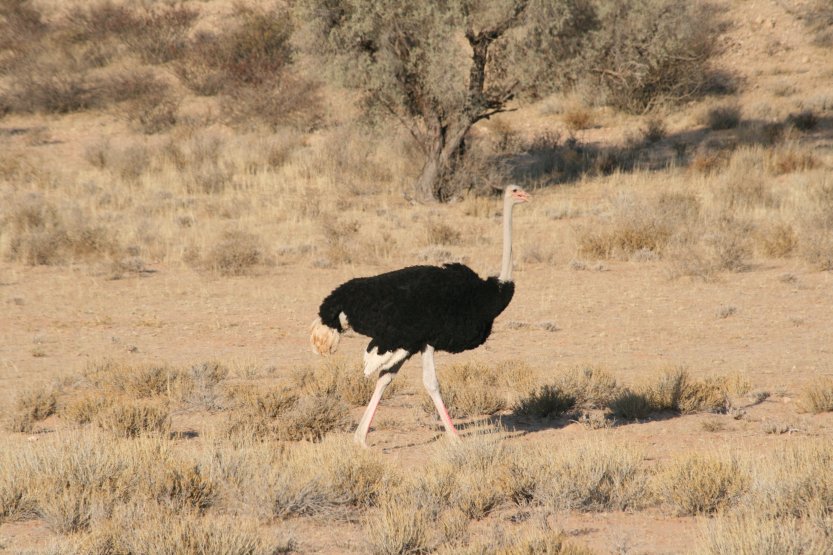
<point>697,483</point>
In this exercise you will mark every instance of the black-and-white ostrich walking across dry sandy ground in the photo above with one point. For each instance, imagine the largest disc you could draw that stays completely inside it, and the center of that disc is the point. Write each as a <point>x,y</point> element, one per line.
<point>417,309</point>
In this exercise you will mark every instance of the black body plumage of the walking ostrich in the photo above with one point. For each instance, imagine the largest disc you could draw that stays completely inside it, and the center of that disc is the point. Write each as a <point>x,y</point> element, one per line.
<point>450,307</point>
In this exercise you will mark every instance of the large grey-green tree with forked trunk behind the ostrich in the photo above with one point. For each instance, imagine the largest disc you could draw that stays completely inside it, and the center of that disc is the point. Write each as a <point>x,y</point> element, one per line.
<point>441,67</point>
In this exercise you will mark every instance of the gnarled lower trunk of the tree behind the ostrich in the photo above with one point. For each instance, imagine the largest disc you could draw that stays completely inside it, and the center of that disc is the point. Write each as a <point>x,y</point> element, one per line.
<point>439,164</point>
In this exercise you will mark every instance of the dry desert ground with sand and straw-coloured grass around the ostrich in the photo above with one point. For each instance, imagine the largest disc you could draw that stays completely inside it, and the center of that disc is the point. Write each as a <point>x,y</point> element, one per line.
<point>159,392</point>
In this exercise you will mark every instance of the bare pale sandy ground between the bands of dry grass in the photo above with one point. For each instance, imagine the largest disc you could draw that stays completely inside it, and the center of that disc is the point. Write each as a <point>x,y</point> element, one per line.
<point>630,319</point>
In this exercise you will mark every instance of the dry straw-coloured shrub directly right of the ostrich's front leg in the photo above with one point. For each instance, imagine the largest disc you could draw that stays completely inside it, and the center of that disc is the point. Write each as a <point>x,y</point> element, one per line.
<point>475,388</point>
